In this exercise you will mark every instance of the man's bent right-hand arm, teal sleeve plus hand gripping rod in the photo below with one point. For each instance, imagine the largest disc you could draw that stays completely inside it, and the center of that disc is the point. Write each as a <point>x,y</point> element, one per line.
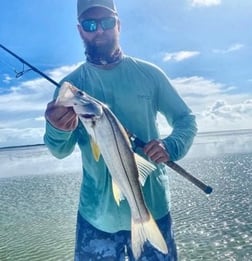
<point>180,118</point>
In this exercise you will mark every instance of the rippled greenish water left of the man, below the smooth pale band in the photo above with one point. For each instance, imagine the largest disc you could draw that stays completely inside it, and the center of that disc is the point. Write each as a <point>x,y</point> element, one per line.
<point>37,217</point>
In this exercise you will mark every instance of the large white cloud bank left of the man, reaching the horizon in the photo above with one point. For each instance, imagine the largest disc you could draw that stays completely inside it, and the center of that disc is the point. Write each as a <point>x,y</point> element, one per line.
<point>22,108</point>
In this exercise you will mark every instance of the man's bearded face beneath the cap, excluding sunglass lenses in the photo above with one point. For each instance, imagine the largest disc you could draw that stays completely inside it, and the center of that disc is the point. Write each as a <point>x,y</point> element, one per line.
<point>100,43</point>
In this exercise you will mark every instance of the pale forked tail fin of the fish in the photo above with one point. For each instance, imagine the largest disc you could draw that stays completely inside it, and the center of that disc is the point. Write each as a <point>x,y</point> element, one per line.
<point>148,230</point>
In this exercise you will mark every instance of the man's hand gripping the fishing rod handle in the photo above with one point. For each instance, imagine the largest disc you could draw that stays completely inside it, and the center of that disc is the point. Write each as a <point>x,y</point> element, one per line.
<point>156,151</point>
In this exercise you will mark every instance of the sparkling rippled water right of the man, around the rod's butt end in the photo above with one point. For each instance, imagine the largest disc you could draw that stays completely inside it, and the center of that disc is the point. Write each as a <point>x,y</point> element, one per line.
<point>219,226</point>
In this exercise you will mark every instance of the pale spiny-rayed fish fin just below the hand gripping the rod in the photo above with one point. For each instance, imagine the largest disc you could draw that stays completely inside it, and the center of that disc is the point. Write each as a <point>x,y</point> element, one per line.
<point>144,168</point>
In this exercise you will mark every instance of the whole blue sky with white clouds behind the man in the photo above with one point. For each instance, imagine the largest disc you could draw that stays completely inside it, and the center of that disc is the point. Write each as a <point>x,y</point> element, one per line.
<point>204,46</point>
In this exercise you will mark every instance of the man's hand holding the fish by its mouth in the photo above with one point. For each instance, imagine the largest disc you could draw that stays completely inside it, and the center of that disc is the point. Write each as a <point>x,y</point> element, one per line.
<point>61,117</point>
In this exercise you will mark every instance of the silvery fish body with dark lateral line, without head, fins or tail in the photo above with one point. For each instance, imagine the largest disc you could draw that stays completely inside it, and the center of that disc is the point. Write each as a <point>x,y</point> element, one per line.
<point>118,155</point>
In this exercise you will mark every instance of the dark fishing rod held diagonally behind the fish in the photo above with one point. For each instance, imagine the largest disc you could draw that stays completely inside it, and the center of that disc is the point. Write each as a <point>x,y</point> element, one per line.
<point>136,140</point>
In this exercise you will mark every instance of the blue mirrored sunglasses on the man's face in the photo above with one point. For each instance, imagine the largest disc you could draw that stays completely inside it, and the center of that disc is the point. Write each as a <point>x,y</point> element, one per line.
<point>91,25</point>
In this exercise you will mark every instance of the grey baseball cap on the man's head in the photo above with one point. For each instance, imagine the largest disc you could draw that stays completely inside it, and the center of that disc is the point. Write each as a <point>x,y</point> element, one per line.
<point>84,5</point>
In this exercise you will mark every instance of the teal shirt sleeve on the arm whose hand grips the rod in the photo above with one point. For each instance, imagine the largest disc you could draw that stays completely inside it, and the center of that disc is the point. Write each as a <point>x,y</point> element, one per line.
<point>179,117</point>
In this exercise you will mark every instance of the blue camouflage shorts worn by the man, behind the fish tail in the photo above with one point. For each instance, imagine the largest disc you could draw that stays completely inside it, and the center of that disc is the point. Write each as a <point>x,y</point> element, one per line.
<point>93,244</point>
